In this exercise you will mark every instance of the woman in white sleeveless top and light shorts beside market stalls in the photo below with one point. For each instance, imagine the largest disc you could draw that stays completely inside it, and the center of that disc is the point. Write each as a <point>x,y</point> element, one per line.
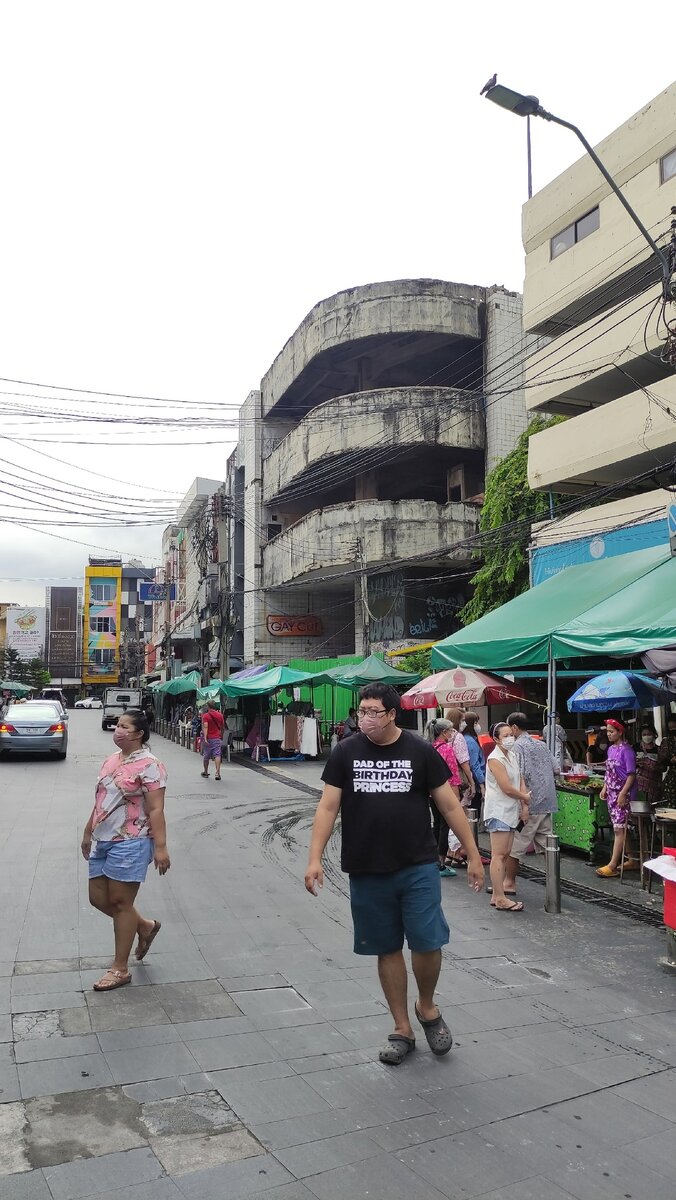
<point>505,807</point>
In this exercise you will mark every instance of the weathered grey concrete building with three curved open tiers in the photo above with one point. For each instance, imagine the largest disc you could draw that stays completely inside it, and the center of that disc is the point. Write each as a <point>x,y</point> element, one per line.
<point>360,472</point>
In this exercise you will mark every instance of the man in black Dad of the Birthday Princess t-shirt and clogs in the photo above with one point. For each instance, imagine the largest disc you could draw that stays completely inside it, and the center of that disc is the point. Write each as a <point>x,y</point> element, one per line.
<point>381,781</point>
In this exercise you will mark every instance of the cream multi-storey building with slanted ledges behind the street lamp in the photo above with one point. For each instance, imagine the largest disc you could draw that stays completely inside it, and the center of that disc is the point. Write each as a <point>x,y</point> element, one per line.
<point>593,301</point>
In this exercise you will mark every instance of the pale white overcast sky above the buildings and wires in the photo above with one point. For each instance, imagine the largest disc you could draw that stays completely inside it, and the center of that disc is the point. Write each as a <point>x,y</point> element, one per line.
<point>183,183</point>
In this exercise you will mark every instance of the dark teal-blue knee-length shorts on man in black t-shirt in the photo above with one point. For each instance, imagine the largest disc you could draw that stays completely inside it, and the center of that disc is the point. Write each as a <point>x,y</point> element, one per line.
<point>388,908</point>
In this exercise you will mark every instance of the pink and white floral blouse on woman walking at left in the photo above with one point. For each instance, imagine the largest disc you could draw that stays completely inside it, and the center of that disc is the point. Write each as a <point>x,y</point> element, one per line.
<point>119,807</point>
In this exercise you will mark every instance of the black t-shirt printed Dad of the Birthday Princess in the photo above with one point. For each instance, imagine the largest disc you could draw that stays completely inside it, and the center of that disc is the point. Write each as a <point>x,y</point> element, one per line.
<point>386,802</point>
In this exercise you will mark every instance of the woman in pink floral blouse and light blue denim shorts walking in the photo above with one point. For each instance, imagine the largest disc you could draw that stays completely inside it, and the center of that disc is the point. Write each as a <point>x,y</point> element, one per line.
<point>124,835</point>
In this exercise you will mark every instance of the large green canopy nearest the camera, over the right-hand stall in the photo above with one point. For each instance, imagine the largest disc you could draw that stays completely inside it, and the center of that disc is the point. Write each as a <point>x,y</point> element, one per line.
<point>621,607</point>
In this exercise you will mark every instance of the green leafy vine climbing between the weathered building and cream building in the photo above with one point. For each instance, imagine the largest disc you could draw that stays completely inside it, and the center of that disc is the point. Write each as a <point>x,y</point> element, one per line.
<point>504,573</point>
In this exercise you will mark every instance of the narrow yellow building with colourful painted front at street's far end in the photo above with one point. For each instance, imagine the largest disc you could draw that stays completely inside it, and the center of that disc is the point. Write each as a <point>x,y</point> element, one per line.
<point>103,619</point>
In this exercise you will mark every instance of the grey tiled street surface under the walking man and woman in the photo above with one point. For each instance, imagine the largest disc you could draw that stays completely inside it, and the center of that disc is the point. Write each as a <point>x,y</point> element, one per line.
<point>243,1059</point>
